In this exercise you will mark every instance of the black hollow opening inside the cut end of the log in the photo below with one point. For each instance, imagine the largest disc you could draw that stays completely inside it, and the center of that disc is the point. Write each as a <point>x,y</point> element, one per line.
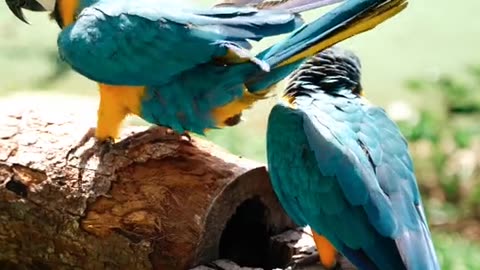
<point>246,237</point>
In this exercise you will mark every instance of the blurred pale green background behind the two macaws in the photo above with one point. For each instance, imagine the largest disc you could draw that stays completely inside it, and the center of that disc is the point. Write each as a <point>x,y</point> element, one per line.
<point>423,66</point>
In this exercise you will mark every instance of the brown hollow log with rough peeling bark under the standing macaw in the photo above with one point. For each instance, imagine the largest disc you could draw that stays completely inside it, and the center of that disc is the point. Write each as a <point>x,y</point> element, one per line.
<point>153,201</point>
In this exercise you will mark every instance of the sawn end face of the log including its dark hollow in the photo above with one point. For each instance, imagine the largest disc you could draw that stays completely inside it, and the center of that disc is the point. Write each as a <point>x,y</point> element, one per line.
<point>248,214</point>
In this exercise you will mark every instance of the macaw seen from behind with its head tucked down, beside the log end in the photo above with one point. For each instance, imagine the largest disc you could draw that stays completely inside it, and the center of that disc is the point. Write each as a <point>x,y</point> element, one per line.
<point>341,166</point>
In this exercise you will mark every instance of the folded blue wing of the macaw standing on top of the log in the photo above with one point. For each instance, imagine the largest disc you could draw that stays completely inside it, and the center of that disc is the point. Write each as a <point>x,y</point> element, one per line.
<point>146,42</point>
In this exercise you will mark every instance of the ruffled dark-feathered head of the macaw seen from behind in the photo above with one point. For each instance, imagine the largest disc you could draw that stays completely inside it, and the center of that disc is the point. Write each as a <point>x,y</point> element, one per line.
<point>331,70</point>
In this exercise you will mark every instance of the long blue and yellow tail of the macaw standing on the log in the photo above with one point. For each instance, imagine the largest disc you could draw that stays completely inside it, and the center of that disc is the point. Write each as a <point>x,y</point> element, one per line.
<point>349,19</point>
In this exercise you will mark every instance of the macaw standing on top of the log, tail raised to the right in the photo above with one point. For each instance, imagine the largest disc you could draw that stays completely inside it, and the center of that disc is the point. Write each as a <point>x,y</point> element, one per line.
<point>191,69</point>
